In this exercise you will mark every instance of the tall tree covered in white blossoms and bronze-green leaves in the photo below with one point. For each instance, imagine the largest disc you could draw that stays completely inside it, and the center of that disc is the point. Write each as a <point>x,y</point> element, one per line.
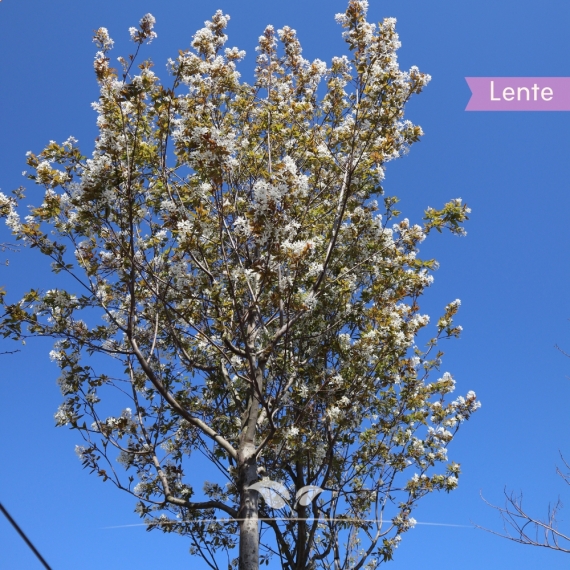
<point>258,306</point>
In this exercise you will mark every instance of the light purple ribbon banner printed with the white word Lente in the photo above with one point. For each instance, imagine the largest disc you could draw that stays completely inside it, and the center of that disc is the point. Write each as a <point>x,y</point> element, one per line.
<point>519,94</point>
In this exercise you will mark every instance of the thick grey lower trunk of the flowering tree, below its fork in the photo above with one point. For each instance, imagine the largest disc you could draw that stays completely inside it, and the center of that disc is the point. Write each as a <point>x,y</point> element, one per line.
<point>248,526</point>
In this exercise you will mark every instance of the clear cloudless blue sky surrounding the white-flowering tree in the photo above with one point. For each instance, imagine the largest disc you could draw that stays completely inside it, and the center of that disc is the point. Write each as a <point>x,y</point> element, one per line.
<point>511,271</point>
